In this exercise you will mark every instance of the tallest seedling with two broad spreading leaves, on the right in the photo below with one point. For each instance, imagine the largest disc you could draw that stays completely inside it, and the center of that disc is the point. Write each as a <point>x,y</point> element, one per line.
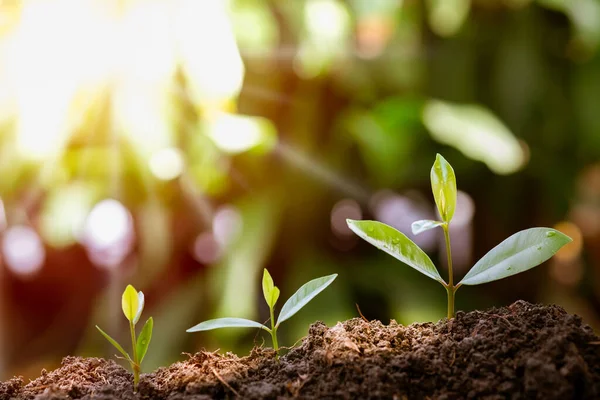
<point>520,252</point>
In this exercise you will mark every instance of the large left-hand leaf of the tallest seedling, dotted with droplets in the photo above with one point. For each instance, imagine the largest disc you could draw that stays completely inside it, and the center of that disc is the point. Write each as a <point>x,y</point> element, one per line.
<point>396,244</point>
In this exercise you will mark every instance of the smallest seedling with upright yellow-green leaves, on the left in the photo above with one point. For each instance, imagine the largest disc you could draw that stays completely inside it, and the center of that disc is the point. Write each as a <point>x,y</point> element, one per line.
<point>132,303</point>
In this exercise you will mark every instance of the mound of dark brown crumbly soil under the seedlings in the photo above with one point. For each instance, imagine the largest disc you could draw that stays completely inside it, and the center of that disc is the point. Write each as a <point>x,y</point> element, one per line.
<point>523,351</point>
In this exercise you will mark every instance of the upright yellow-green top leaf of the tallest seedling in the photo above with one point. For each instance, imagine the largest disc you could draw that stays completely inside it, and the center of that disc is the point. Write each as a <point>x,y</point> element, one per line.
<point>443,185</point>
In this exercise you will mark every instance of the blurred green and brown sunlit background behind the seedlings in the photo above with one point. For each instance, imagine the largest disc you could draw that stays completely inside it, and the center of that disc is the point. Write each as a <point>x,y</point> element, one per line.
<point>184,145</point>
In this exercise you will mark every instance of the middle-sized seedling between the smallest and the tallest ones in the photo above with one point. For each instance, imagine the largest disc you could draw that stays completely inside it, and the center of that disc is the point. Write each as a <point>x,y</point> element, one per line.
<point>271,293</point>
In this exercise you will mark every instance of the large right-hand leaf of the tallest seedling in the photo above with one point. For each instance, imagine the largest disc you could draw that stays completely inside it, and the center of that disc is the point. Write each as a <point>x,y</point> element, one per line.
<point>520,252</point>
